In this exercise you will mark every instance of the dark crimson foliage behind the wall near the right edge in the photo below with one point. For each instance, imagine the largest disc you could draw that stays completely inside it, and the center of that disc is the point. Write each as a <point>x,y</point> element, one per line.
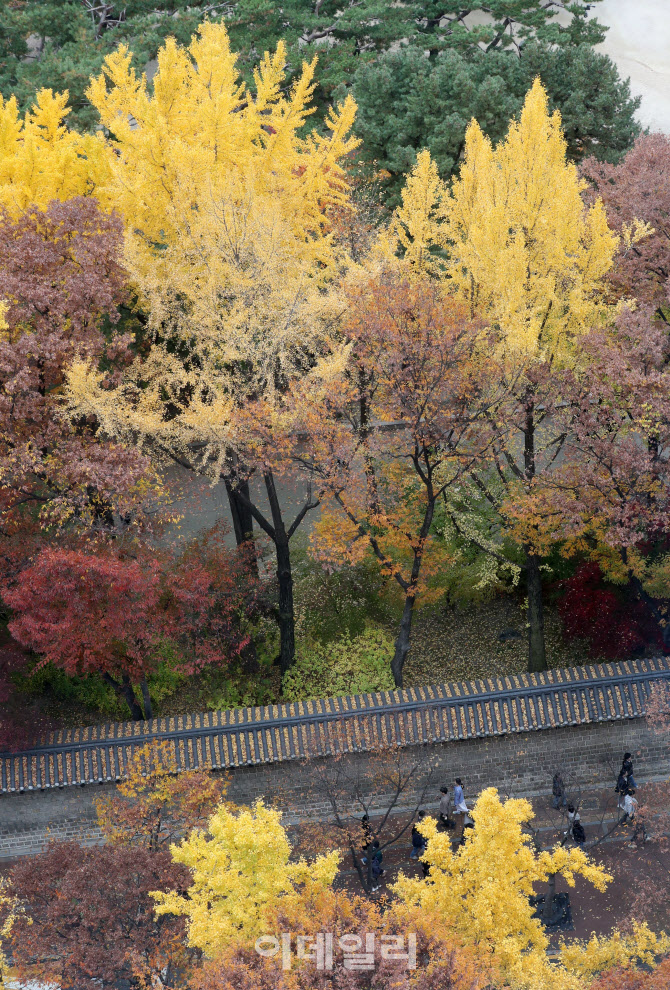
<point>592,609</point>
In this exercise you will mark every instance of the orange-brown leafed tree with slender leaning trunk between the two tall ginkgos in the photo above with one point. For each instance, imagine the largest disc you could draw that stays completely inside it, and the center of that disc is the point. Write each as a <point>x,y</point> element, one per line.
<point>396,430</point>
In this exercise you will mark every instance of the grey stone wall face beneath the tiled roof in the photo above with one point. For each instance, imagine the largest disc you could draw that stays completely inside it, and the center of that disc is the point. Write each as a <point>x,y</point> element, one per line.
<point>588,755</point>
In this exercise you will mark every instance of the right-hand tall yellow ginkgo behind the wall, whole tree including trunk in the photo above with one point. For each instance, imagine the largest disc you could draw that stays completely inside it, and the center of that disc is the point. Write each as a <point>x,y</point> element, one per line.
<point>513,238</point>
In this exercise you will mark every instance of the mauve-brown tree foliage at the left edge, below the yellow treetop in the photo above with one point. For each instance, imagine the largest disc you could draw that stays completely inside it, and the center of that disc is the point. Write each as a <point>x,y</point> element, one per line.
<point>60,273</point>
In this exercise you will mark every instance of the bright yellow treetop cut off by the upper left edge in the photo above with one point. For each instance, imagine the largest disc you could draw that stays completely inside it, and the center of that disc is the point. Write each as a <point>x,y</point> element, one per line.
<point>41,160</point>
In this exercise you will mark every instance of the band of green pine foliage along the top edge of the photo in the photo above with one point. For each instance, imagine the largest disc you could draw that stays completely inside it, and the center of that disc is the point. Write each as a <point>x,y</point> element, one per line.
<point>59,44</point>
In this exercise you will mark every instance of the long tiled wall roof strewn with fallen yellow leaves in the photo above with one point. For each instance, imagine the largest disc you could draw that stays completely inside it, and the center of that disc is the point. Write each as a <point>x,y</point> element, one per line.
<point>246,736</point>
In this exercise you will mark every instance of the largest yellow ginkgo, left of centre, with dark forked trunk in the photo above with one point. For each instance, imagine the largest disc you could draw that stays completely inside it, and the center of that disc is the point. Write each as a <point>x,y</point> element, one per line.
<point>226,200</point>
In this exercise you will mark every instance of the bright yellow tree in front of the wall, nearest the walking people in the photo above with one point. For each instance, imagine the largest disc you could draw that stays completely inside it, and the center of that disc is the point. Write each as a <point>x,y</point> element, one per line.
<point>483,888</point>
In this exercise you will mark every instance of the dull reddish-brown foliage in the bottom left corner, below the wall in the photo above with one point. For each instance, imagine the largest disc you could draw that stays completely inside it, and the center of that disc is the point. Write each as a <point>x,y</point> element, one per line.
<point>89,919</point>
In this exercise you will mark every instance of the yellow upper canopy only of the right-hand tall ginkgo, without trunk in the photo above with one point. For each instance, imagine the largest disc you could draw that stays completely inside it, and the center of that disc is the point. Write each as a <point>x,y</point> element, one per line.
<point>520,245</point>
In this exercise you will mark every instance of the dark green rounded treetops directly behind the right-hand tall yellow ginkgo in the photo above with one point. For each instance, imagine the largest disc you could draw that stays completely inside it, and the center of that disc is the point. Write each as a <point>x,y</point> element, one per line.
<point>407,102</point>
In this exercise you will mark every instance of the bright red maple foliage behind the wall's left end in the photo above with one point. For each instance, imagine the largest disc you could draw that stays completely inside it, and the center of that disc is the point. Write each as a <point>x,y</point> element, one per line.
<point>108,612</point>
